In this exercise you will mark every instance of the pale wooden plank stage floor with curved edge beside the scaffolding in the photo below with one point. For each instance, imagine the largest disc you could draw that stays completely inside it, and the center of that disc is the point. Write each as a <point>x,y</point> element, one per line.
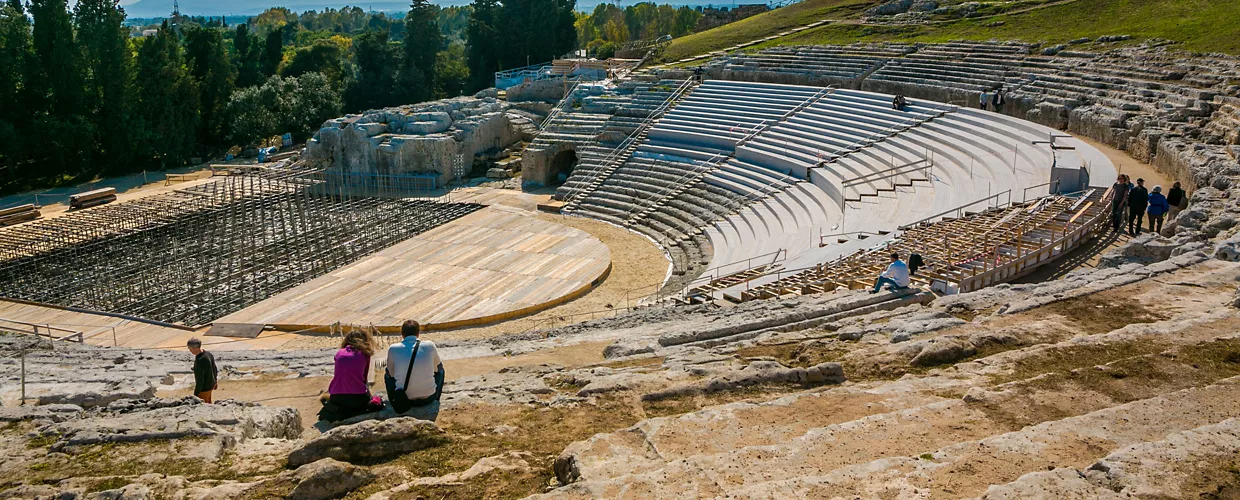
<point>493,265</point>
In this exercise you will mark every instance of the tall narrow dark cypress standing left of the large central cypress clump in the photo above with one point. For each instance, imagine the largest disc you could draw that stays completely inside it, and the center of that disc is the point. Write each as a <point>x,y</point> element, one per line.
<point>422,45</point>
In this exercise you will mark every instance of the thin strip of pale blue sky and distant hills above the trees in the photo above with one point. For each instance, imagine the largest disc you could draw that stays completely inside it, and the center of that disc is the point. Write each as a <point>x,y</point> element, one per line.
<point>158,9</point>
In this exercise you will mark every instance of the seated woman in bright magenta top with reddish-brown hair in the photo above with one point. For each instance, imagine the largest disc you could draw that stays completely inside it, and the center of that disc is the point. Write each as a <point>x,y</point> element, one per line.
<point>349,395</point>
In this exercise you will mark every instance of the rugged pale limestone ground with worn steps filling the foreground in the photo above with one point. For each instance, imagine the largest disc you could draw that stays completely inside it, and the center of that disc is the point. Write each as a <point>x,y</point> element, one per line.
<point>1110,383</point>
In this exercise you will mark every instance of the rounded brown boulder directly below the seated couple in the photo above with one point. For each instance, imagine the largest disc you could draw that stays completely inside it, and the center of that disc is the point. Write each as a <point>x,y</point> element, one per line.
<point>370,440</point>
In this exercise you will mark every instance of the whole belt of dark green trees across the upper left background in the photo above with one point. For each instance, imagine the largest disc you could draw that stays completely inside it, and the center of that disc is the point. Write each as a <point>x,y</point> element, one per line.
<point>82,95</point>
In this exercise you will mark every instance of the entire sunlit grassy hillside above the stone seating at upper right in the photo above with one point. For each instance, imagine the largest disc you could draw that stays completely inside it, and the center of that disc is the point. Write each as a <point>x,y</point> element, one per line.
<point>1198,25</point>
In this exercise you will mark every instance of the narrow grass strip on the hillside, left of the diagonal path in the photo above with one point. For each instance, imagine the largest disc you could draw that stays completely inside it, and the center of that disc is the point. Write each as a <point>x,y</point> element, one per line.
<point>763,25</point>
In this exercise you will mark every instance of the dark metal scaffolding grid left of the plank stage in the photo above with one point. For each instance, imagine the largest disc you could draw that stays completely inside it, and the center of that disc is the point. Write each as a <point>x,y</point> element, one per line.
<point>195,255</point>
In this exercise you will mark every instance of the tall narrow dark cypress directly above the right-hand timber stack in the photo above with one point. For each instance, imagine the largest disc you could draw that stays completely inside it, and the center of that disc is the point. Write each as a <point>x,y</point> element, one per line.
<point>110,81</point>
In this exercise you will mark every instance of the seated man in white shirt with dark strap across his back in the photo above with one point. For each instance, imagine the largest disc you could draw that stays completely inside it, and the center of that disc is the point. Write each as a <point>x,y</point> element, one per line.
<point>415,373</point>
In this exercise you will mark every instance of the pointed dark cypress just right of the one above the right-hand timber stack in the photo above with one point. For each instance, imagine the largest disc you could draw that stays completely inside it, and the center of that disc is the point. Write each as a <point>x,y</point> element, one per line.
<point>168,100</point>
